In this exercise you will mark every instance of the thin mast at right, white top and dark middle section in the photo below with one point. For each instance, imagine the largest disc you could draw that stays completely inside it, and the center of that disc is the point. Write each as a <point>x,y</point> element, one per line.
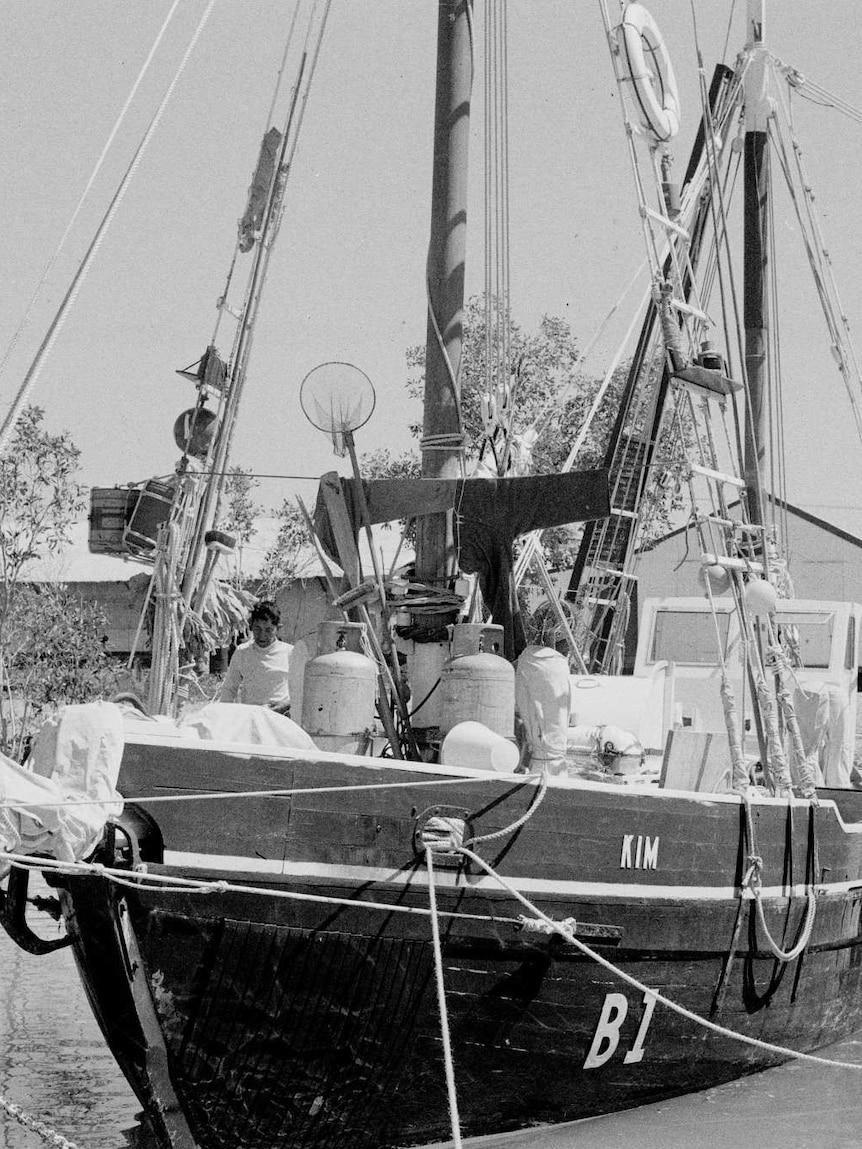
<point>756,260</point>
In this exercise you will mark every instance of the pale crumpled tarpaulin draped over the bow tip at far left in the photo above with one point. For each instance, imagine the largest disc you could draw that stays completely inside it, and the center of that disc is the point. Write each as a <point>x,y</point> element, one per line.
<point>75,760</point>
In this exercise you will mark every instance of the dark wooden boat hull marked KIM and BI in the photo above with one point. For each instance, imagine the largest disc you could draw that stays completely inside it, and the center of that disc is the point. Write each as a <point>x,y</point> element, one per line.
<point>263,1021</point>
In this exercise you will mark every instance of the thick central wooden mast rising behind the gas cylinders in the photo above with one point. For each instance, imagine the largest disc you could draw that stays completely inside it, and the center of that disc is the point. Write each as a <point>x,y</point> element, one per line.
<point>442,436</point>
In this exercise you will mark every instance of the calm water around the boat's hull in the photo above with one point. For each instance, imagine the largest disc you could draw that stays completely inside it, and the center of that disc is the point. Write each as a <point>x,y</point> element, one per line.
<point>56,1067</point>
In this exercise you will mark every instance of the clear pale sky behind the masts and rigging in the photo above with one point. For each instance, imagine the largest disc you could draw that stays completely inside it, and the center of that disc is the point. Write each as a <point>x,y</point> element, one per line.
<point>347,280</point>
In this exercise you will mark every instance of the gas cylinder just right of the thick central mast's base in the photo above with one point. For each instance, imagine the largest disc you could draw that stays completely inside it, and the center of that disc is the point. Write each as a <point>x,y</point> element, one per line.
<point>475,684</point>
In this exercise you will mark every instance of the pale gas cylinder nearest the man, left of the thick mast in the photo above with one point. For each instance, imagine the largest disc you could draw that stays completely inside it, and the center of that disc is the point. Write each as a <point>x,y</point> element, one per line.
<point>338,690</point>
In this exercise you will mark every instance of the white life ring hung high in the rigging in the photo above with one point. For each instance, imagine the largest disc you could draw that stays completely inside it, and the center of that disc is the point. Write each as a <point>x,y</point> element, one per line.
<point>651,73</point>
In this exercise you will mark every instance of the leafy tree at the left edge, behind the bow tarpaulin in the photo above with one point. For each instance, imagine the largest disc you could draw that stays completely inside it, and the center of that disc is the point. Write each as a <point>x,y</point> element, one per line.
<point>40,499</point>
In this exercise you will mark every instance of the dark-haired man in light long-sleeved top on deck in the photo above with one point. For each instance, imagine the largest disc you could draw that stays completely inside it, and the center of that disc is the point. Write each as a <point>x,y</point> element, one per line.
<point>258,672</point>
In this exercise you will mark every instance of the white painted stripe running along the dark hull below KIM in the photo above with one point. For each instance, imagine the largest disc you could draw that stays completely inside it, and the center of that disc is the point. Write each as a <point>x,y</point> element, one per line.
<point>214,866</point>
